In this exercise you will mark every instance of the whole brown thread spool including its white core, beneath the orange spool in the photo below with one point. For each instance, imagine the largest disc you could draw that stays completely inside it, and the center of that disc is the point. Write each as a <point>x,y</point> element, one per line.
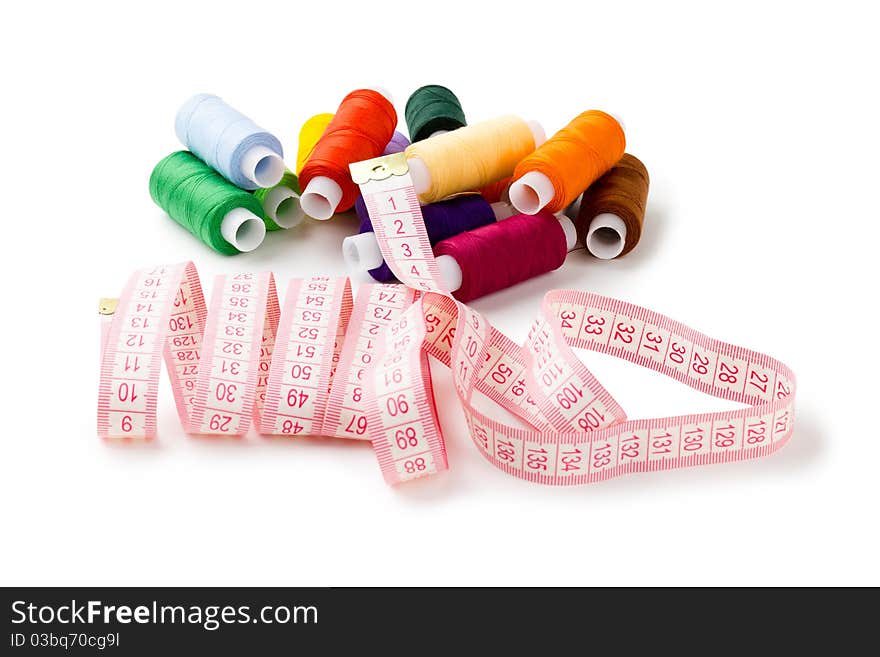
<point>612,210</point>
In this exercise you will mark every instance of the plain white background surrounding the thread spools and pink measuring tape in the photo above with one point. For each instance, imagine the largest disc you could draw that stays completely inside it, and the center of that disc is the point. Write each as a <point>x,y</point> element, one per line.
<point>759,128</point>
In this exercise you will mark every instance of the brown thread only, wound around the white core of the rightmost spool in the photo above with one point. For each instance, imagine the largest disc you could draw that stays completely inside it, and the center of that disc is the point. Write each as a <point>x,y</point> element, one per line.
<point>622,191</point>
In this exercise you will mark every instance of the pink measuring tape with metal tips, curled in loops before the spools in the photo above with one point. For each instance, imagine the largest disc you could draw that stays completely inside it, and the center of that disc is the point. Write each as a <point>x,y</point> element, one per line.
<point>328,365</point>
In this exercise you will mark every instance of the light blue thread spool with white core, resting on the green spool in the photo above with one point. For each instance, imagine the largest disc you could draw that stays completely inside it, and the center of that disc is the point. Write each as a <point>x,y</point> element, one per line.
<point>231,143</point>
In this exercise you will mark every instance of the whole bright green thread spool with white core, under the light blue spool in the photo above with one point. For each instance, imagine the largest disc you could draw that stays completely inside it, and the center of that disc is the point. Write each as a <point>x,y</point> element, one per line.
<point>221,215</point>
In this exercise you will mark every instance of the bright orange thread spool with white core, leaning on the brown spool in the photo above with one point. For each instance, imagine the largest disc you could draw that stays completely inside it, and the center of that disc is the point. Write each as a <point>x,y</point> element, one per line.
<point>567,163</point>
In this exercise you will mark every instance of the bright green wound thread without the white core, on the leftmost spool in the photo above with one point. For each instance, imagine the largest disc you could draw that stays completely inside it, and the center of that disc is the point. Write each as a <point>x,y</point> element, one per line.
<point>198,198</point>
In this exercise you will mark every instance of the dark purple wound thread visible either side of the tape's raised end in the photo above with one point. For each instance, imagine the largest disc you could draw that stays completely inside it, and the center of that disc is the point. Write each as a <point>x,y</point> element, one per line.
<point>443,220</point>
